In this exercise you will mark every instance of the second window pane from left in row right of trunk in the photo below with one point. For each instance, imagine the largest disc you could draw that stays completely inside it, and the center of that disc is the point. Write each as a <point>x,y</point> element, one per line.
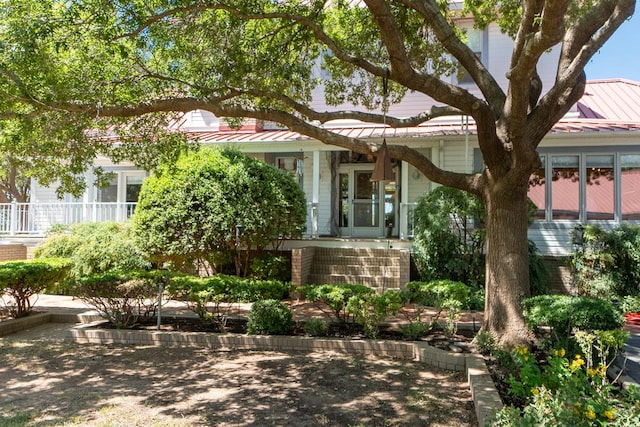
<point>565,187</point>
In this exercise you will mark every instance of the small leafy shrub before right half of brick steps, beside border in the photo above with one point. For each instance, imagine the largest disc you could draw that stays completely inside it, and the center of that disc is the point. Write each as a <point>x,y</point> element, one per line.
<point>370,309</point>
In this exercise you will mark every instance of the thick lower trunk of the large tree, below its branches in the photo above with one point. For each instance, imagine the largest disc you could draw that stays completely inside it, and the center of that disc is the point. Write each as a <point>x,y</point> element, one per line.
<point>507,263</point>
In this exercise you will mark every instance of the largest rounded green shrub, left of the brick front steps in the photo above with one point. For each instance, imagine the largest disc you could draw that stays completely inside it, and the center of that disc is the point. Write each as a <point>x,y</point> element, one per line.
<point>189,213</point>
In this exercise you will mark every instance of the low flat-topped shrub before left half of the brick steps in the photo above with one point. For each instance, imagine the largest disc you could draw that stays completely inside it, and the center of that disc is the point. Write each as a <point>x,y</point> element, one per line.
<point>335,297</point>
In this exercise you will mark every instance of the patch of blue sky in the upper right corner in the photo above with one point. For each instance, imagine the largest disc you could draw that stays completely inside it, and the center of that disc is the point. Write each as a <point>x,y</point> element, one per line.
<point>620,56</point>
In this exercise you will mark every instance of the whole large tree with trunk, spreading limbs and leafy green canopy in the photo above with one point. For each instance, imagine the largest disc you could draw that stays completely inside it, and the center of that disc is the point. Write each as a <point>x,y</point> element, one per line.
<point>76,71</point>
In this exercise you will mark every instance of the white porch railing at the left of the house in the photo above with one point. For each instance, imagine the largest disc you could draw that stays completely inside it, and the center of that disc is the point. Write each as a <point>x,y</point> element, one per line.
<point>37,218</point>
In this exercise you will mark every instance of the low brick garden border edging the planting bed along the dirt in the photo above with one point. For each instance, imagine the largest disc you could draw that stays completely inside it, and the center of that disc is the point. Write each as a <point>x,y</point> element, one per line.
<point>485,396</point>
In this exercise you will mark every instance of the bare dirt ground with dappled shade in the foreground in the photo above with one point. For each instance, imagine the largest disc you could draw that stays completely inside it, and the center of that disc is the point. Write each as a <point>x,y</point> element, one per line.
<point>46,381</point>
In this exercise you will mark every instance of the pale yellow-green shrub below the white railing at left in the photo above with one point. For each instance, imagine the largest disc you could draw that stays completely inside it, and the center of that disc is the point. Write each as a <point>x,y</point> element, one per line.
<point>94,248</point>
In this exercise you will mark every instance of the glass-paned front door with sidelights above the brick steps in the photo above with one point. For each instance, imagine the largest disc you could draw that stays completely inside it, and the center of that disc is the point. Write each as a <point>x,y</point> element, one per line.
<point>367,209</point>
